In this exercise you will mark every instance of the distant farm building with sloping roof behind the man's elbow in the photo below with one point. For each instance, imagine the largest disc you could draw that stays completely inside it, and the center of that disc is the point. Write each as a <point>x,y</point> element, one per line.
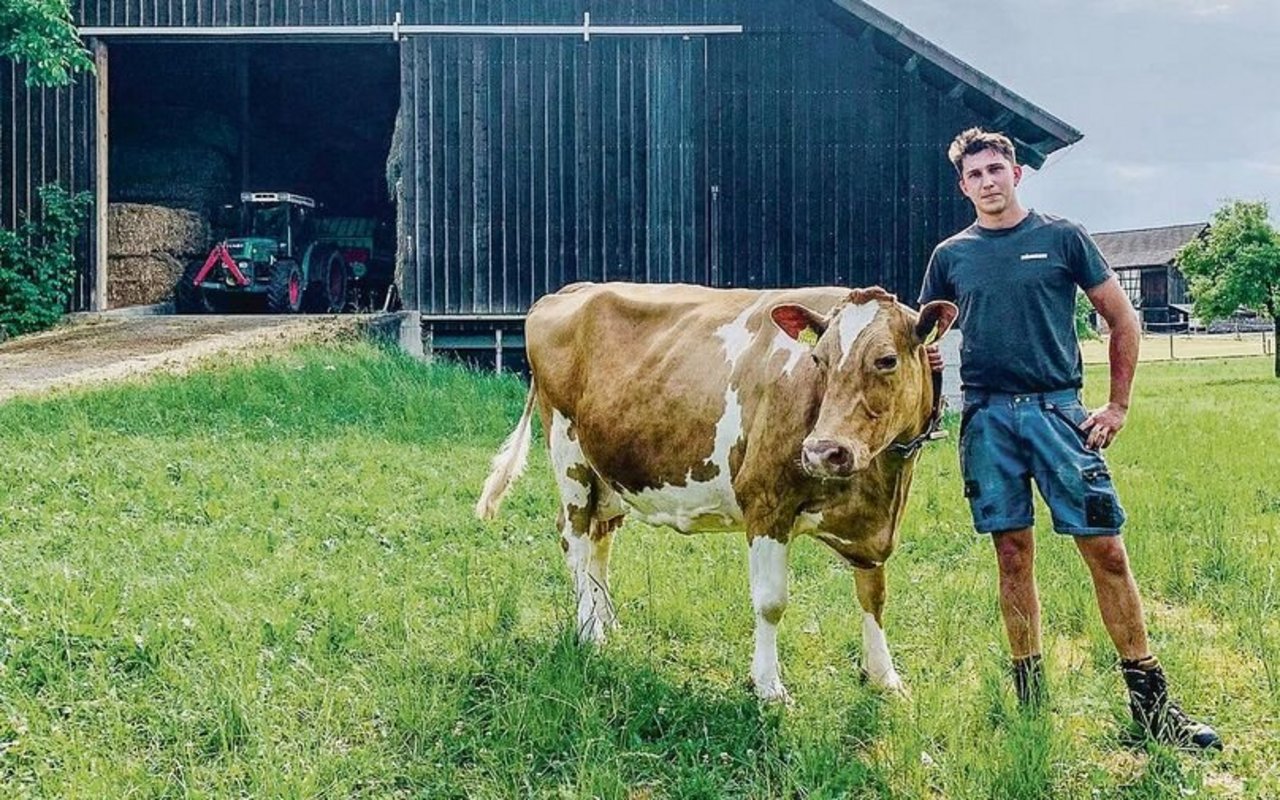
<point>1144,260</point>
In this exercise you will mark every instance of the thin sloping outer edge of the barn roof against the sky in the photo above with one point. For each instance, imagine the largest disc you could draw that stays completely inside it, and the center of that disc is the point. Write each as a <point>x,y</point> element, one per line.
<point>1034,154</point>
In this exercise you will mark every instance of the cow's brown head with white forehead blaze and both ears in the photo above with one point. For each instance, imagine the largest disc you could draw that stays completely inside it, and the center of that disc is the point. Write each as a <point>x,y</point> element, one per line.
<point>870,355</point>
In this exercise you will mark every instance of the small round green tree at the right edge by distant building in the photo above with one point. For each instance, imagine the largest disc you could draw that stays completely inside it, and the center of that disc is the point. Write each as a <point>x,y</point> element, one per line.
<point>1237,264</point>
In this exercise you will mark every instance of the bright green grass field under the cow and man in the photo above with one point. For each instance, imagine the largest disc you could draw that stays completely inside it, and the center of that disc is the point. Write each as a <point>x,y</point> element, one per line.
<point>266,582</point>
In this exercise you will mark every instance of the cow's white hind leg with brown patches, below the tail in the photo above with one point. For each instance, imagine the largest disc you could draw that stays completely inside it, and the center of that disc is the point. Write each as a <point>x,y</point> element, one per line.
<point>587,543</point>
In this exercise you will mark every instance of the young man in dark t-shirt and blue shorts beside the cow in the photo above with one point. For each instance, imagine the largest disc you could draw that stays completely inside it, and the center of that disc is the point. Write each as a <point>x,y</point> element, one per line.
<point>1014,275</point>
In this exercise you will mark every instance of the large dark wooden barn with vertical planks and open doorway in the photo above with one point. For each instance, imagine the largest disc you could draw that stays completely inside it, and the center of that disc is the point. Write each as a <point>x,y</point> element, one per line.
<point>515,148</point>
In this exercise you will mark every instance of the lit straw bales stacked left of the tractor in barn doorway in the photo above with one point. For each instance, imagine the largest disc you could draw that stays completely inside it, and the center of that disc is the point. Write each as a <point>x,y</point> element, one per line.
<point>148,250</point>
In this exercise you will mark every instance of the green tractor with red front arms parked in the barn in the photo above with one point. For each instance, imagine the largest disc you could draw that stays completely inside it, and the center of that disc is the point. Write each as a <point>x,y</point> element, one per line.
<point>278,254</point>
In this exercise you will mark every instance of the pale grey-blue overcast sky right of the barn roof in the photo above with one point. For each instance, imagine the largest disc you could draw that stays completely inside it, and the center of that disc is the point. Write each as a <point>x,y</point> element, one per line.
<point>1180,100</point>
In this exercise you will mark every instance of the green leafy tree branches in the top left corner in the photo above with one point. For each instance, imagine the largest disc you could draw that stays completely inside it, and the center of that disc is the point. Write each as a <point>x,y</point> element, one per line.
<point>42,35</point>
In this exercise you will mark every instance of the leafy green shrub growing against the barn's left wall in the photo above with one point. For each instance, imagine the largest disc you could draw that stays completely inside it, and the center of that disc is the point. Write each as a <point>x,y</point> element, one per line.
<point>38,263</point>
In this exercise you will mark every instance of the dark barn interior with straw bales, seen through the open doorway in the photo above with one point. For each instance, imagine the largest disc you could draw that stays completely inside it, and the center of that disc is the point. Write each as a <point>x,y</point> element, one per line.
<point>194,125</point>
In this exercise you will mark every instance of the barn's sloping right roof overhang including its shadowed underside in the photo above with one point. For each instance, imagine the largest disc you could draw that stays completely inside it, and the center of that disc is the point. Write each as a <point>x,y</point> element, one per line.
<point>1035,131</point>
